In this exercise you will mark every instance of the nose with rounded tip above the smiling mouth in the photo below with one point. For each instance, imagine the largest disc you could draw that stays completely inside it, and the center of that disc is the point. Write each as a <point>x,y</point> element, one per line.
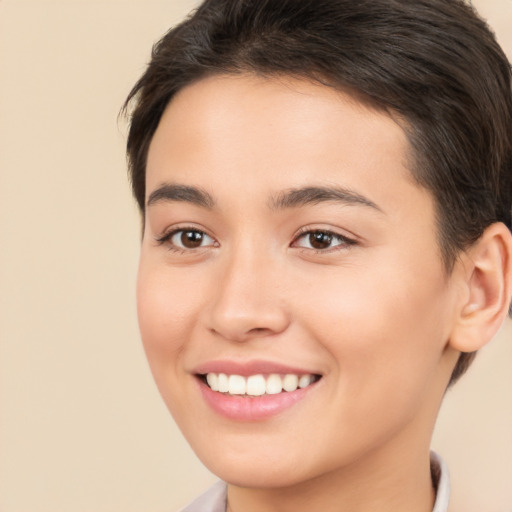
<point>248,299</point>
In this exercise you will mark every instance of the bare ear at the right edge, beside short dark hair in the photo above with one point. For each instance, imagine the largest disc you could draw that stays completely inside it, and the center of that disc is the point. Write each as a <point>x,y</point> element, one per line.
<point>488,289</point>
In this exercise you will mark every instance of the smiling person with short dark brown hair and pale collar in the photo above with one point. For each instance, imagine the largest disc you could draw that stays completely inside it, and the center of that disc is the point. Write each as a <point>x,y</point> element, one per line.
<point>326,191</point>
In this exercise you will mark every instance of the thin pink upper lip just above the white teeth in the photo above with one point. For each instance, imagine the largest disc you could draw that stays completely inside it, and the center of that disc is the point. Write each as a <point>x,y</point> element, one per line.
<point>248,368</point>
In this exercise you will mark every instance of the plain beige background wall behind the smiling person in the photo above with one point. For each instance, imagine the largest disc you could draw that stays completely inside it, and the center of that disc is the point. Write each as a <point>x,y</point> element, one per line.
<point>81,425</point>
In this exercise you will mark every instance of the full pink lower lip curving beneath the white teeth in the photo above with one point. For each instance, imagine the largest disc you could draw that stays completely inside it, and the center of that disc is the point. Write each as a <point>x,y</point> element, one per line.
<point>244,408</point>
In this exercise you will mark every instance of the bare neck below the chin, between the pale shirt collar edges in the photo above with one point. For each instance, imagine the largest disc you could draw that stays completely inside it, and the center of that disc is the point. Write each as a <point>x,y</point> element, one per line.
<point>402,484</point>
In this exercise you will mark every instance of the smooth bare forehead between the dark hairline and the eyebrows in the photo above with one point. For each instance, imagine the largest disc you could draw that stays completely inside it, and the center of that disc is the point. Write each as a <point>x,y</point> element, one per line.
<point>253,133</point>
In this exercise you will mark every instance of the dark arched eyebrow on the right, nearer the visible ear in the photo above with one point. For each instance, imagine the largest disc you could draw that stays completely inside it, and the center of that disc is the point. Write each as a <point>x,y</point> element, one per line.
<point>297,197</point>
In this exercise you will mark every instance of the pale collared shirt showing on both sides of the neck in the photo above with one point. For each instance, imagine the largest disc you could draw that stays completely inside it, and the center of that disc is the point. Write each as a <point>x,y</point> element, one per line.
<point>215,498</point>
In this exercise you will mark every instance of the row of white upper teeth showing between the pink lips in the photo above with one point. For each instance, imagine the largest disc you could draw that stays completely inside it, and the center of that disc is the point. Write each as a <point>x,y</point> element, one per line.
<point>257,385</point>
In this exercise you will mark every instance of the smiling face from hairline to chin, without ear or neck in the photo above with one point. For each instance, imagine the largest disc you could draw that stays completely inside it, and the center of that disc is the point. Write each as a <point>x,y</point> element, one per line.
<point>286,244</point>
